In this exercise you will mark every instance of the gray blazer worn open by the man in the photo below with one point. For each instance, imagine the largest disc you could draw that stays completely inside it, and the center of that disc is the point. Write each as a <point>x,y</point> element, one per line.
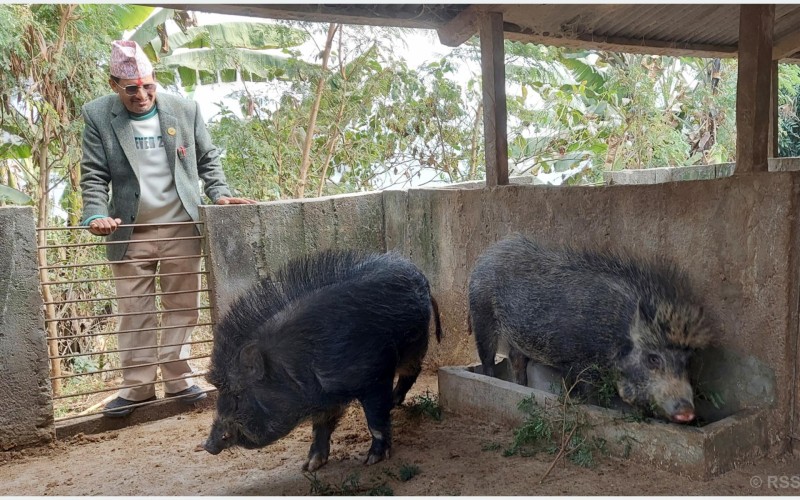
<point>109,151</point>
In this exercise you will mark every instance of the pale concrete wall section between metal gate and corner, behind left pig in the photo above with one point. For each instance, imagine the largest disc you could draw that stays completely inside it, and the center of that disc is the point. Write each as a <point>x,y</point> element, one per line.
<point>247,242</point>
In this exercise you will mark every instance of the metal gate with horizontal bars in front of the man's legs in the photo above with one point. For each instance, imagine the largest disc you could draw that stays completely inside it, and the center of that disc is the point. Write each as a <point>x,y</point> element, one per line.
<point>81,318</point>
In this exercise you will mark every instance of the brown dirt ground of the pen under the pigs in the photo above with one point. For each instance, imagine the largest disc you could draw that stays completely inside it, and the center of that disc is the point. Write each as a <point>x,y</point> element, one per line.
<point>454,456</point>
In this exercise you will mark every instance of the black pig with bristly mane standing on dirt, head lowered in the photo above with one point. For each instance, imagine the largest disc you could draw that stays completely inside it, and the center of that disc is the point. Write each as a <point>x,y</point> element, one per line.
<point>330,328</point>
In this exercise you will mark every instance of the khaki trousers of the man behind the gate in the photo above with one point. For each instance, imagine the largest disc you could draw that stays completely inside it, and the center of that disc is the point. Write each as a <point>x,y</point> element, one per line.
<point>140,279</point>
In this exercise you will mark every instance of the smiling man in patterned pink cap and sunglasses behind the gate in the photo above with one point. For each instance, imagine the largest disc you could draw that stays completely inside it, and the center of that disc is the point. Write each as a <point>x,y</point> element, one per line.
<point>152,152</point>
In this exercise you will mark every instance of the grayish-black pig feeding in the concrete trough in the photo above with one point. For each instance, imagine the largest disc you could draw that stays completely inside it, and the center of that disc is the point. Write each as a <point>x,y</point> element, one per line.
<point>571,309</point>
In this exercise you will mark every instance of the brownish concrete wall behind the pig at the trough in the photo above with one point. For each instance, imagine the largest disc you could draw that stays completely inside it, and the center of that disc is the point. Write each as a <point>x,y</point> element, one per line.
<point>736,238</point>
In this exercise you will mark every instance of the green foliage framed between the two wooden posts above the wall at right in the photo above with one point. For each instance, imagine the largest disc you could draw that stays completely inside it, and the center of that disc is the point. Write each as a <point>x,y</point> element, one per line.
<point>587,111</point>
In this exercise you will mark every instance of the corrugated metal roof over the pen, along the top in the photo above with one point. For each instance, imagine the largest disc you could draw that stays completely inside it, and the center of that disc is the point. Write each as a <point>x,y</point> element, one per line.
<point>709,30</point>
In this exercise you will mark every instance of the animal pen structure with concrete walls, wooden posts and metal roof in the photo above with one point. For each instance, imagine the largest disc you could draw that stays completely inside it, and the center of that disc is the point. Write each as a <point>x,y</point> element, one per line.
<point>735,234</point>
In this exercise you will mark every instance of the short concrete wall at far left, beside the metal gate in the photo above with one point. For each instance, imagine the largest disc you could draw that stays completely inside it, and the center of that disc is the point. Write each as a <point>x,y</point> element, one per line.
<point>26,404</point>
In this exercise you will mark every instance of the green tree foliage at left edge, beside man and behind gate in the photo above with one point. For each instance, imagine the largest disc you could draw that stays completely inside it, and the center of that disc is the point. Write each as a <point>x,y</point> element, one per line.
<point>52,63</point>
